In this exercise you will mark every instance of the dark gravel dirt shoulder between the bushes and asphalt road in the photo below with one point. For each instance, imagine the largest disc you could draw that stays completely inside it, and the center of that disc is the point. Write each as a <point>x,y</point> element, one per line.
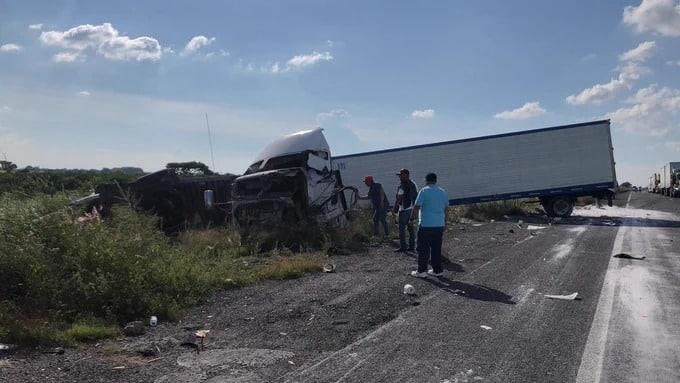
<point>263,332</point>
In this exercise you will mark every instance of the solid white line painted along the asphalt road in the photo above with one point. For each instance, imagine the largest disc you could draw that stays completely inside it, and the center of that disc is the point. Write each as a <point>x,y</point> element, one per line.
<point>590,369</point>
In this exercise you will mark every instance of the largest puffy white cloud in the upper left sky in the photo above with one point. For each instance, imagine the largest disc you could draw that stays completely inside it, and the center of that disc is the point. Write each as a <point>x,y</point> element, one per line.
<point>102,39</point>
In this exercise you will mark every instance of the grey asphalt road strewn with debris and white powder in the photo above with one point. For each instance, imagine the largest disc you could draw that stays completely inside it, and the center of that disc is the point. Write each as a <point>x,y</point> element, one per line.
<point>622,328</point>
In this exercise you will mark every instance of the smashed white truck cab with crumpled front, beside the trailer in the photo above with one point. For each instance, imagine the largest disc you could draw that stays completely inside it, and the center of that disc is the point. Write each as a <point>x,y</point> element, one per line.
<point>291,180</point>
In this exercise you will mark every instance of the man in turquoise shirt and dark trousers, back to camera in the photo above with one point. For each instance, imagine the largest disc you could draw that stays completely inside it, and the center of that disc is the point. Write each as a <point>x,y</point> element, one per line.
<point>430,208</point>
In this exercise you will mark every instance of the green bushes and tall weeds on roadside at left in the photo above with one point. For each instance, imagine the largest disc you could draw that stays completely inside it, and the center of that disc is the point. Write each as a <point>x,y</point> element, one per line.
<point>56,271</point>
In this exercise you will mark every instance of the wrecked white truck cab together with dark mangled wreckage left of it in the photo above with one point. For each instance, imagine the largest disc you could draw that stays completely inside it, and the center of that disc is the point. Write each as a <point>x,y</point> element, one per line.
<point>290,181</point>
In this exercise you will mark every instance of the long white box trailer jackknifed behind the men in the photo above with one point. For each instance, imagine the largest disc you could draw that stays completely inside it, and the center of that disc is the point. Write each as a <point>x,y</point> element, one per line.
<point>555,165</point>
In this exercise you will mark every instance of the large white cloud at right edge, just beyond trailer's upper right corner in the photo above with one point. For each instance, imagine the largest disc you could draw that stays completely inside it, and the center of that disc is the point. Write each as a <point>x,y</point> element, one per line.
<point>652,112</point>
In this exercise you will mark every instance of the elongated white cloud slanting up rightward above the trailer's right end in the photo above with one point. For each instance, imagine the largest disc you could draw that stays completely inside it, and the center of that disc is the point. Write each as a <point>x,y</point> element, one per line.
<point>598,93</point>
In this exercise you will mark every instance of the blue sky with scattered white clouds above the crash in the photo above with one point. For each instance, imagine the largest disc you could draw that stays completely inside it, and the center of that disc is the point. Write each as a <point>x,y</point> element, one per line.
<point>103,84</point>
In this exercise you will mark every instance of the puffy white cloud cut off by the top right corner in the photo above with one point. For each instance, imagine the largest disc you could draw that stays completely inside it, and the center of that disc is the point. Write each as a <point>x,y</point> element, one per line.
<point>660,16</point>
